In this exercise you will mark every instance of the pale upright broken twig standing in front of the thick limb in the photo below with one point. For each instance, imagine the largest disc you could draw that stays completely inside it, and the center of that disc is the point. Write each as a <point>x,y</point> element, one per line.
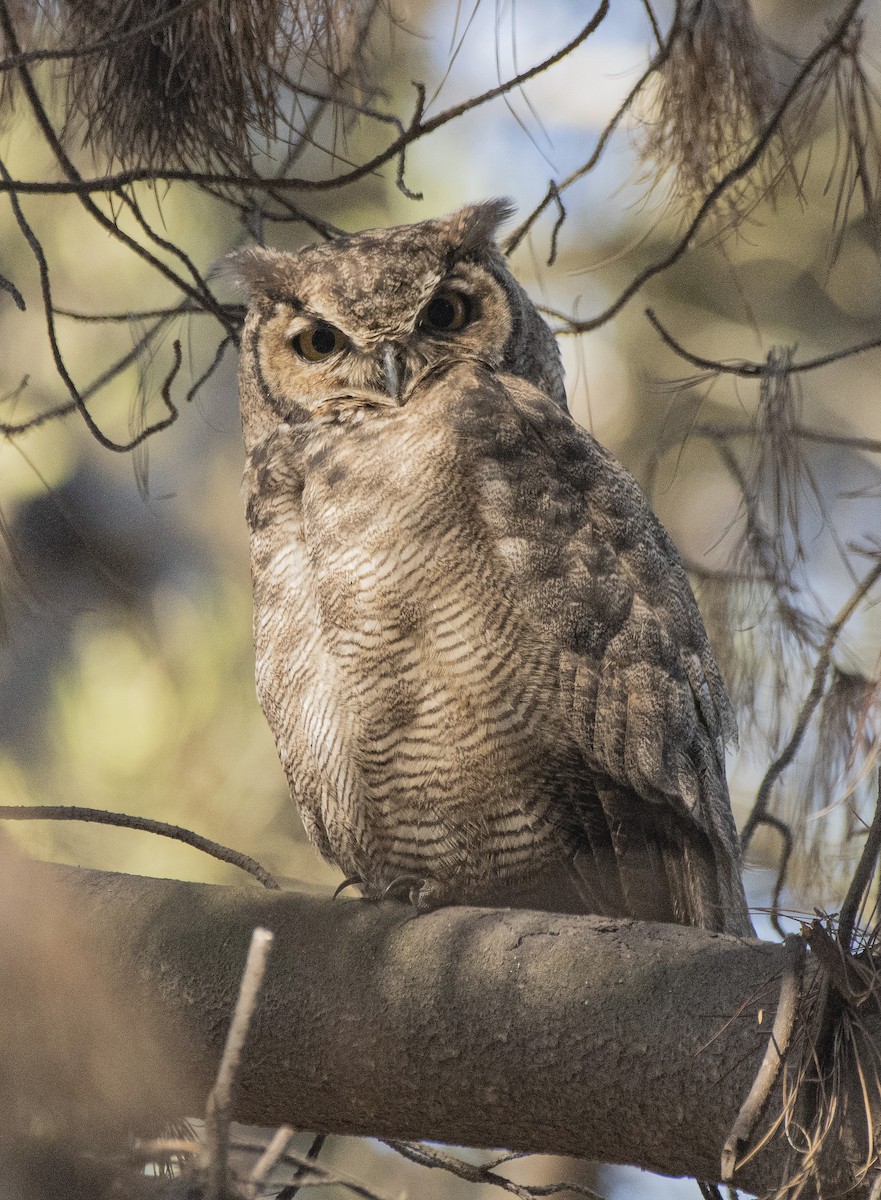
<point>220,1101</point>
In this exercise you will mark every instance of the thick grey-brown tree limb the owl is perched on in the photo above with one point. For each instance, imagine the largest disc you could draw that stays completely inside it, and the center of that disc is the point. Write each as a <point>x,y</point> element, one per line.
<point>613,1040</point>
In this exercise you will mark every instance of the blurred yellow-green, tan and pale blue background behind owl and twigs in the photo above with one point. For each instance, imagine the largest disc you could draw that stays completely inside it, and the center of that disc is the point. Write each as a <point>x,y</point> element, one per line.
<point>127,677</point>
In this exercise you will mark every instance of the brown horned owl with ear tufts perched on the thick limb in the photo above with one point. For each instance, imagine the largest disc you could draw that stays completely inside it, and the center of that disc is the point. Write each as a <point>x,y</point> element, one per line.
<point>477,647</point>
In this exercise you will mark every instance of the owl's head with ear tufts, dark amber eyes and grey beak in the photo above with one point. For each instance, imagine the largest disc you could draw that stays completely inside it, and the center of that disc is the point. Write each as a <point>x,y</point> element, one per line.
<point>358,322</point>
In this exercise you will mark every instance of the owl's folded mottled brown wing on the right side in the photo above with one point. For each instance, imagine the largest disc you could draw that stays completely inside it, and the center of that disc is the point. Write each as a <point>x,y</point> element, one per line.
<point>639,691</point>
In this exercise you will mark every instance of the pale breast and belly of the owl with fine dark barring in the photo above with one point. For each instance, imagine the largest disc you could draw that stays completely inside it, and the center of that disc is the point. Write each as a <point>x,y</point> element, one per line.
<point>434,689</point>
